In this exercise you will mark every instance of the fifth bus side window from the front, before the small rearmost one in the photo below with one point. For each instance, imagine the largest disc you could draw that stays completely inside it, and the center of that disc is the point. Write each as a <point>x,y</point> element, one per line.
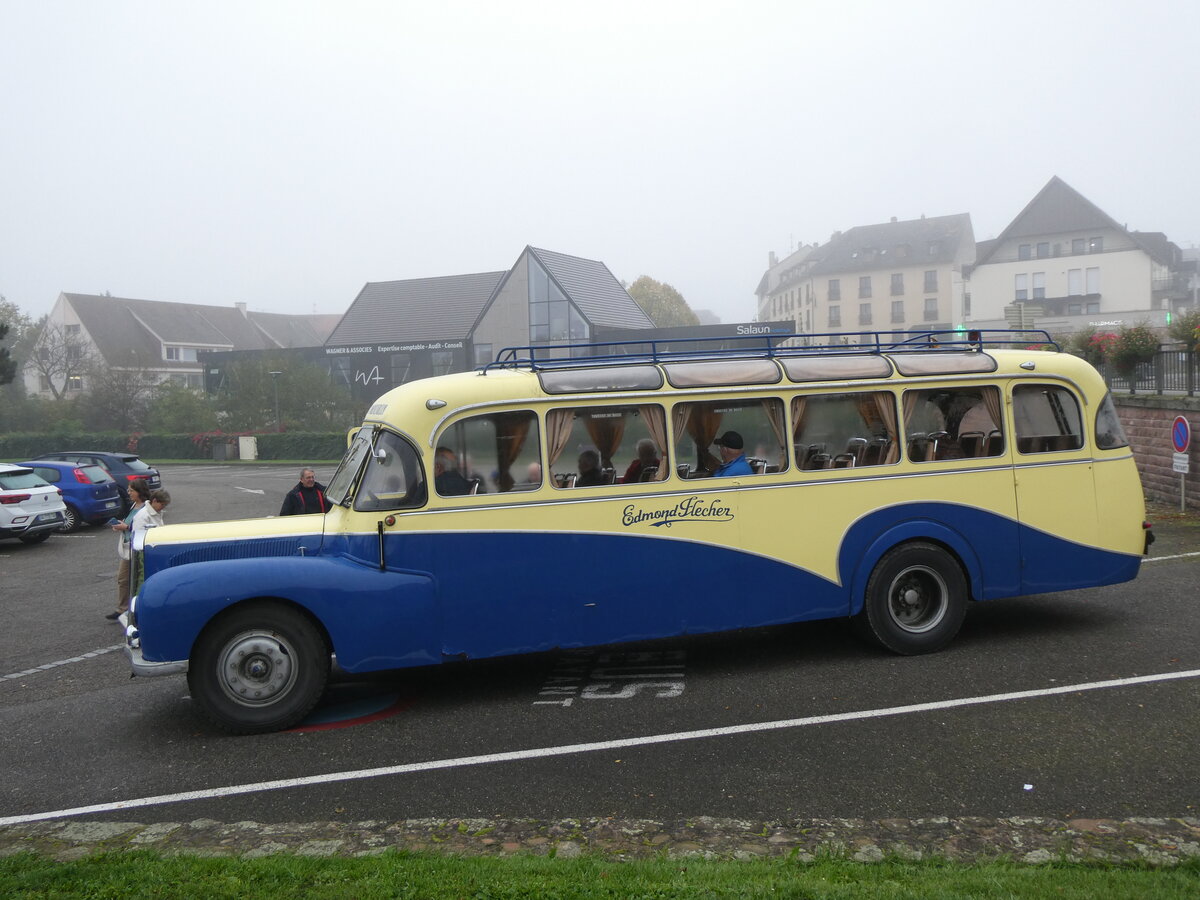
<point>953,424</point>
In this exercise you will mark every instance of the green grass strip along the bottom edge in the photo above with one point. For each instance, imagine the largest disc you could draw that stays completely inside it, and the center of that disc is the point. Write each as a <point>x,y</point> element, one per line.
<point>147,874</point>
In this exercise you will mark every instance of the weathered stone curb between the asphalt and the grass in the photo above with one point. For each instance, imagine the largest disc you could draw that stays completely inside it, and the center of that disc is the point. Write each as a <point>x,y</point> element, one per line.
<point>1154,842</point>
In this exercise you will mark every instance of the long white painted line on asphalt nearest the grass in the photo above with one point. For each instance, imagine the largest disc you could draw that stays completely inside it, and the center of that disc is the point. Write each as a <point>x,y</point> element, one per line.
<point>568,749</point>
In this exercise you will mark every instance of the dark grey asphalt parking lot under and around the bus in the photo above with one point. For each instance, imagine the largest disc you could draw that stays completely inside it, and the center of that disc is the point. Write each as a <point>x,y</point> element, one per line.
<point>1067,706</point>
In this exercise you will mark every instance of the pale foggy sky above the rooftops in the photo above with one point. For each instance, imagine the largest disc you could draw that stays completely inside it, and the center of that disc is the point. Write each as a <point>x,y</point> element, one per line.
<point>284,154</point>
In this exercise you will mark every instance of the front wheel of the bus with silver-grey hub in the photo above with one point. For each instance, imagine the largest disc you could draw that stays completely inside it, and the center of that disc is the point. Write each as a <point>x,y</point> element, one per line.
<point>260,668</point>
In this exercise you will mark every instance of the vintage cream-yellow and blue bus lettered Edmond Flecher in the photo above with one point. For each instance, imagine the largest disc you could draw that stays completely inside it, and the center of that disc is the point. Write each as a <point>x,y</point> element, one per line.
<point>562,502</point>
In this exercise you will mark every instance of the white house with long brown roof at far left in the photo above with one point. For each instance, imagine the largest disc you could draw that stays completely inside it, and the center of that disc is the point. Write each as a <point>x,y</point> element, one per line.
<point>161,340</point>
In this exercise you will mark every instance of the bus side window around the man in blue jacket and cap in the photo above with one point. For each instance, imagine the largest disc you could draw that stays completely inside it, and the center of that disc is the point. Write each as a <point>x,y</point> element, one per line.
<point>760,423</point>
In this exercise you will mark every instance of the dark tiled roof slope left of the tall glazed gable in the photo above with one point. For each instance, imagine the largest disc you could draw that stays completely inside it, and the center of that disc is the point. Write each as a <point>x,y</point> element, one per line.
<point>418,309</point>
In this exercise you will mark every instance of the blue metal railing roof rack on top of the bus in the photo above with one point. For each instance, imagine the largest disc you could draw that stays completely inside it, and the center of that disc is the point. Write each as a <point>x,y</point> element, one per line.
<point>771,346</point>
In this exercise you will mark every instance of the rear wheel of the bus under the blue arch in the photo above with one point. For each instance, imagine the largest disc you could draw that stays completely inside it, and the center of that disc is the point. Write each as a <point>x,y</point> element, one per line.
<point>916,599</point>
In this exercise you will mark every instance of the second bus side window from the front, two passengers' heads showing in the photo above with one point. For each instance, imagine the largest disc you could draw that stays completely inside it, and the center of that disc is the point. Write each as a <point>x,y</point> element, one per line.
<point>596,447</point>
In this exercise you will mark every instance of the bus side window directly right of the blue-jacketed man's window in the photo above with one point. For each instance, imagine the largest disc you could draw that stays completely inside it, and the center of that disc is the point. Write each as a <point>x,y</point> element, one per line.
<point>845,430</point>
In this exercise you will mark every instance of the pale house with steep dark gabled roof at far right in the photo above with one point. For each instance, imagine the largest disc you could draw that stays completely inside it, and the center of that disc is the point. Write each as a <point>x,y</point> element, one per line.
<point>1064,265</point>
